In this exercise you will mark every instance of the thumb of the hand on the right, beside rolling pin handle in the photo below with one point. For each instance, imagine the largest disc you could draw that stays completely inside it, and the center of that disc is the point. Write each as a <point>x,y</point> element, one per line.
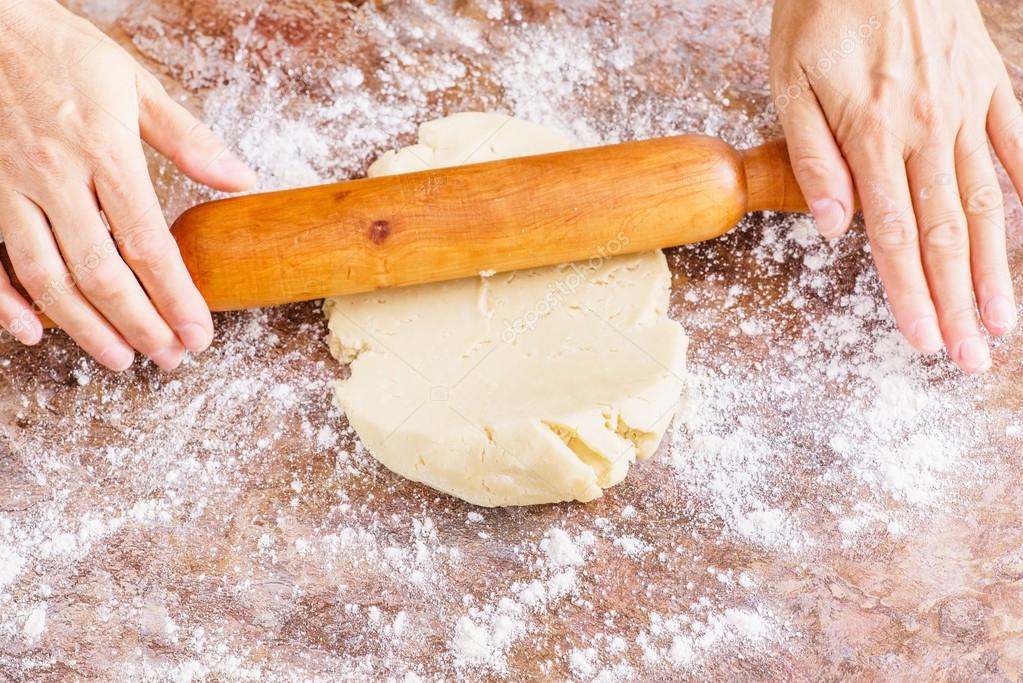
<point>819,165</point>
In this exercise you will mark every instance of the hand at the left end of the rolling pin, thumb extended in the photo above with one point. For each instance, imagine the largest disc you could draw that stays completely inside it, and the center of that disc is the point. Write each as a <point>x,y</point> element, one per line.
<point>82,223</point>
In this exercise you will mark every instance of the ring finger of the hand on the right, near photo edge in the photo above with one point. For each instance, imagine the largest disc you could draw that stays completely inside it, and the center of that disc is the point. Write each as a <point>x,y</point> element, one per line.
<point>986,215</point>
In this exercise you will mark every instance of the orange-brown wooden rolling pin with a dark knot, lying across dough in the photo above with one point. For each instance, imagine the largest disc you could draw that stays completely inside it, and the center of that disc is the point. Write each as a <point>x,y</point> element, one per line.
<point>391,232</point>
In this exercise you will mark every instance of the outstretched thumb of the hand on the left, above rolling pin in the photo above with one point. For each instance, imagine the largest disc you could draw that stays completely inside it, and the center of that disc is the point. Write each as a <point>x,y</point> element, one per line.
<point>189,144</point>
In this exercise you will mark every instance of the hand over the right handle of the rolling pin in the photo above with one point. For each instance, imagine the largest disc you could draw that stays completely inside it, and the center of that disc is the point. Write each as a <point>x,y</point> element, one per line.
<point>899,100</point>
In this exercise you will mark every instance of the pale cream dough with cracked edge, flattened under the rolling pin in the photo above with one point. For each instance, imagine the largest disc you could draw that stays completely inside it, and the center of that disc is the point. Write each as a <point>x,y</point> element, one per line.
<point>532,387</point>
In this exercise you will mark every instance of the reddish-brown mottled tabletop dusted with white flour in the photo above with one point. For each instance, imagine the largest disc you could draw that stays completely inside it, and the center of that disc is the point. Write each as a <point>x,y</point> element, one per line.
<point>828,507</point>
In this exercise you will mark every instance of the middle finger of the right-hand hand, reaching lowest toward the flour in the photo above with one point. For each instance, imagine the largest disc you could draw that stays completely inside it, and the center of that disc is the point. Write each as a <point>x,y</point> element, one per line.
<point>946,247</point>
